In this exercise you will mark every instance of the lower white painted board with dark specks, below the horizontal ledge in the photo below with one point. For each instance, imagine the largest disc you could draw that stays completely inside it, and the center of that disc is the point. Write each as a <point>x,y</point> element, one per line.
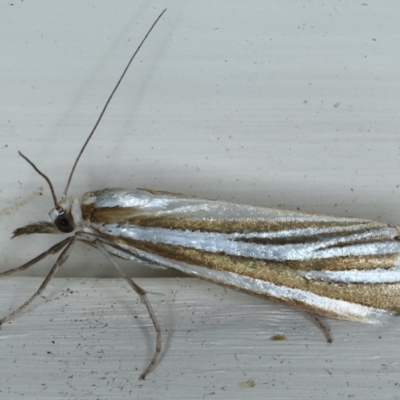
<point>90,339</point>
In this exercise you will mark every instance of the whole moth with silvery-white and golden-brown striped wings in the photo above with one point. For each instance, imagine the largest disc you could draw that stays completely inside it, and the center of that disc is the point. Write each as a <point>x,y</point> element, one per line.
<point>338,267</point>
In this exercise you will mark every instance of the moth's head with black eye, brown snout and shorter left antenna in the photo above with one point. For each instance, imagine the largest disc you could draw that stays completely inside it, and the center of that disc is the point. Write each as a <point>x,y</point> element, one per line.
<point>60,219</point>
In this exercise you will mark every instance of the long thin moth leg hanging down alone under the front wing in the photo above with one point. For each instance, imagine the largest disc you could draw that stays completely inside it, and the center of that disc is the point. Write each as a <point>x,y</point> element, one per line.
<point>144,299</point>
